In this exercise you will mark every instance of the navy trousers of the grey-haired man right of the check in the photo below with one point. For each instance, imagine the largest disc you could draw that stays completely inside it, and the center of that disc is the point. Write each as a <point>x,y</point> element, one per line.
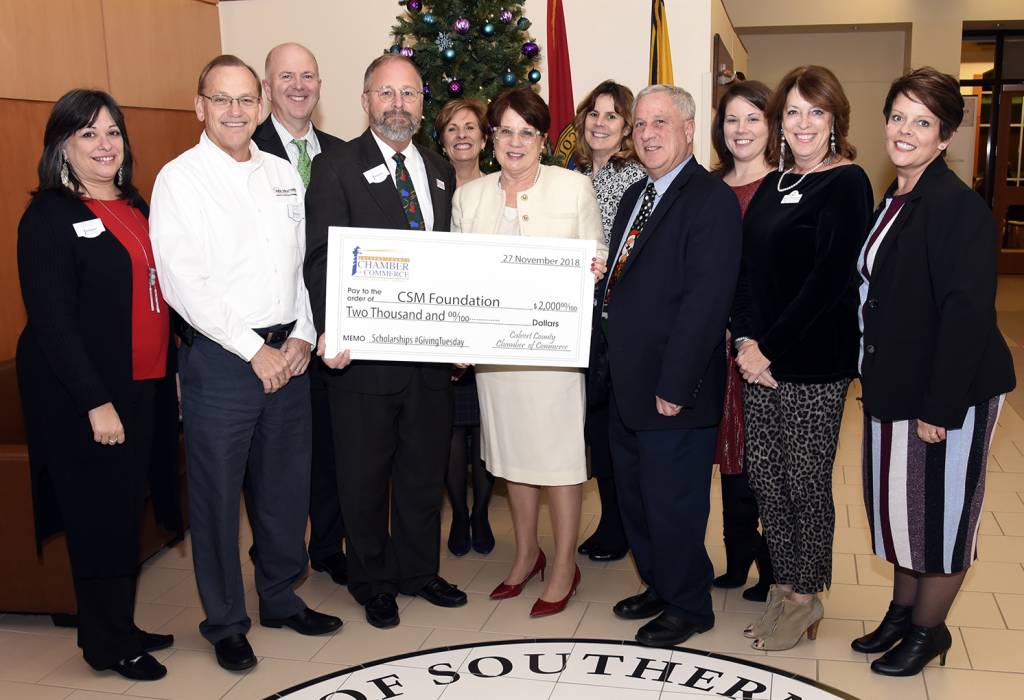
<point>664,483</point>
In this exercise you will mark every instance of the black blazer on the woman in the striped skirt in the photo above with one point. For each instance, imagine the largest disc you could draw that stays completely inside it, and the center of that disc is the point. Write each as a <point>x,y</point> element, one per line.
<point>932,348</point>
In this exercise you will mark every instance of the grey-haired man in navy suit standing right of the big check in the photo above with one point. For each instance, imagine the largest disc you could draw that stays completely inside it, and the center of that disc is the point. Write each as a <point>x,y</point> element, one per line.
<point>673,265</point>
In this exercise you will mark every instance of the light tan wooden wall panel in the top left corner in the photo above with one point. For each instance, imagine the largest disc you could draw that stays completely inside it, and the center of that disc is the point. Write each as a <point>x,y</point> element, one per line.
<point>55,47</point>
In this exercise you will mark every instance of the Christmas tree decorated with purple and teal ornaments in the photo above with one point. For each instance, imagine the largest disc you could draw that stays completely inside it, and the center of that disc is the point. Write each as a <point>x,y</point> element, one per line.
<point>465,49</point>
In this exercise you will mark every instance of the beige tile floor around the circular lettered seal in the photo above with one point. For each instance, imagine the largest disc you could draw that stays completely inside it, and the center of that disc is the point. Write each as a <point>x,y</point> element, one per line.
<point>41,663</point>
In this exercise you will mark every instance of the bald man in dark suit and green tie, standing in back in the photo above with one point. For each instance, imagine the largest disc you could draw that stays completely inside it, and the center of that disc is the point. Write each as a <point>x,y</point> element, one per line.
<point>292,84</point>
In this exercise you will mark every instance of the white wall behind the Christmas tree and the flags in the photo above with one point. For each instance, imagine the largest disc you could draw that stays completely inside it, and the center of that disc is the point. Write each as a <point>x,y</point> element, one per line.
<point>607,38</point>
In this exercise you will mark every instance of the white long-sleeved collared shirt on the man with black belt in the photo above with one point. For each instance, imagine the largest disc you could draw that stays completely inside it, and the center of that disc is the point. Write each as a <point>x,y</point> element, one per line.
<point>229,239</point>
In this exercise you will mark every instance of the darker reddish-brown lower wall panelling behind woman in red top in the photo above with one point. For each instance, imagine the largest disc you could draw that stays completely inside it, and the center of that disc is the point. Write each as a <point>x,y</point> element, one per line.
<point>157,137</point>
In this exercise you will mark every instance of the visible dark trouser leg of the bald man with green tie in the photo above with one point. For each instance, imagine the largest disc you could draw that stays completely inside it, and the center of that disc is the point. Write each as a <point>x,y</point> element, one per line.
<point>327,529</point>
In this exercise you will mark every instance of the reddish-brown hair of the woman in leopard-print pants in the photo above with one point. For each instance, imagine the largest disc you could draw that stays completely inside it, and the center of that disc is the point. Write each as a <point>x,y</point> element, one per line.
<point>819,86</point>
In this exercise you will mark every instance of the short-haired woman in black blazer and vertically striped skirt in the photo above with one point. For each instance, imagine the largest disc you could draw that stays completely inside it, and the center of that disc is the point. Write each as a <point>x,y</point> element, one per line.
<point>934,370</point>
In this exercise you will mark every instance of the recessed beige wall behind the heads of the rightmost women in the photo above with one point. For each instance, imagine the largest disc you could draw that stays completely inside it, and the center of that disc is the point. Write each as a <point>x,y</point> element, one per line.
<point>866,64</point>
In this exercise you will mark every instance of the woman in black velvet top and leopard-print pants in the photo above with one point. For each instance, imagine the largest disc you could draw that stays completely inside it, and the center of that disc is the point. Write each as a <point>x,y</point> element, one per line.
<point>795,321</point>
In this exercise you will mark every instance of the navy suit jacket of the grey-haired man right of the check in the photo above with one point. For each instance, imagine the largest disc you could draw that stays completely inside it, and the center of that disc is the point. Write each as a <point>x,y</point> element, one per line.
<point>670,308</point>
